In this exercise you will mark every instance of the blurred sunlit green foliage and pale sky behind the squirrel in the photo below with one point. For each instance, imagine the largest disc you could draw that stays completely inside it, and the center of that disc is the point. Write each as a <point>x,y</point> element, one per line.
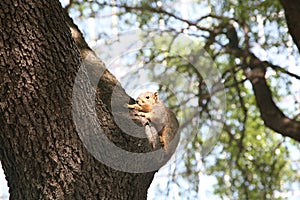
<point>248,160</point>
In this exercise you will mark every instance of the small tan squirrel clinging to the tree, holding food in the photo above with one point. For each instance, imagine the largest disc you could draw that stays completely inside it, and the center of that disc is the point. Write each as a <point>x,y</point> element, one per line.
<point>164,120</point>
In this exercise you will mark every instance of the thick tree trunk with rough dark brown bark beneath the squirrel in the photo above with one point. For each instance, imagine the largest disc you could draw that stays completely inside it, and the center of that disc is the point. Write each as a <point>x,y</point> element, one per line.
<point>41,151</point>
